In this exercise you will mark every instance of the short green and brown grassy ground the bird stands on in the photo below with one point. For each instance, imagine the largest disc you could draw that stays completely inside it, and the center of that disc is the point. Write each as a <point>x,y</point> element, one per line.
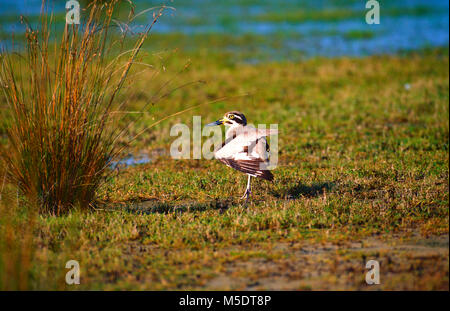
<point>363,174</point>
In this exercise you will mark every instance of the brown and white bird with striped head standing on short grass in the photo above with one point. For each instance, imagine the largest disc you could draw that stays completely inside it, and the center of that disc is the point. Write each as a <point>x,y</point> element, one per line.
<point>245,148</point>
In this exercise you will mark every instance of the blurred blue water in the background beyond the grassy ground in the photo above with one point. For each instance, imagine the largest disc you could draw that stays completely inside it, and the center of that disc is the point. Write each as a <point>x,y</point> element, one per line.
<point>428,26</point>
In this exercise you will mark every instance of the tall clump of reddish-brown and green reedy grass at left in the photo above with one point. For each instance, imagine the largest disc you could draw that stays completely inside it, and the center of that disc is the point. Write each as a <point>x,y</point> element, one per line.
<point>60,93</point>
